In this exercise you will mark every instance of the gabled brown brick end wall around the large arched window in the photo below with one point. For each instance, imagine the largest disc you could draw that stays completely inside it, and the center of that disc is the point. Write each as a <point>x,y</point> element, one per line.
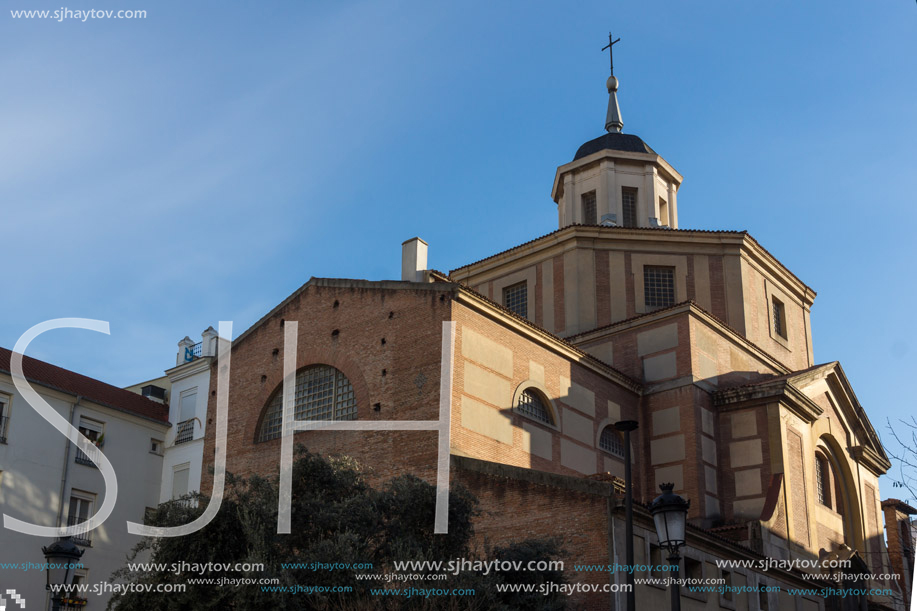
<point>343,326</point>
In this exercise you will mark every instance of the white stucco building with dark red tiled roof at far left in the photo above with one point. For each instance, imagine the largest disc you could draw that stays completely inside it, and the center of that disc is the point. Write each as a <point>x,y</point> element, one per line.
<point>46,480</point>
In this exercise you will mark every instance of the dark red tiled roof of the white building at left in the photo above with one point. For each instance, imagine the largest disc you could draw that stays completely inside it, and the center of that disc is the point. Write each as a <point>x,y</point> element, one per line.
<point>64,380</point>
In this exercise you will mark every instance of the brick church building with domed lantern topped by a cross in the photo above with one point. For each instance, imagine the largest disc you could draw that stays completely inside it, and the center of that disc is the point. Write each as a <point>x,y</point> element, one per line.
<point>532,354</point>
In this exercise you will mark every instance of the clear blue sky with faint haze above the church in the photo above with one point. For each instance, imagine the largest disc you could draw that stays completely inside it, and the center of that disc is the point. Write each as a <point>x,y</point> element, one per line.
<point>202,163</point>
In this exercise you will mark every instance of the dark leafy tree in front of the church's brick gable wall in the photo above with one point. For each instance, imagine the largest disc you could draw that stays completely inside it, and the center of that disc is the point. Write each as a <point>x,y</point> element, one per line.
<point>337,518</point>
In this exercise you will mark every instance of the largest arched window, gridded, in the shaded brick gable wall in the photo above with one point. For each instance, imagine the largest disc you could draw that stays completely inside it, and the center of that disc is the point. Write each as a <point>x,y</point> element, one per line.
<point>321,393</point>
